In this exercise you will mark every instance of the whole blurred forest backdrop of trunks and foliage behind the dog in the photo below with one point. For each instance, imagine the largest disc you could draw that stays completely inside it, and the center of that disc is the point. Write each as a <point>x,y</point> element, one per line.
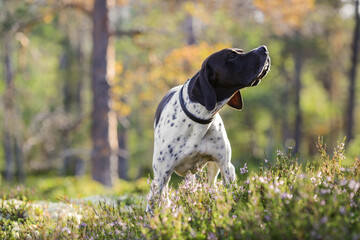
<point>80,80</point>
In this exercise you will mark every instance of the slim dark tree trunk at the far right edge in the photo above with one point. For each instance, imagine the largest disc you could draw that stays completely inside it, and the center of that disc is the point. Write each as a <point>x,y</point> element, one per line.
<point>349,122</point>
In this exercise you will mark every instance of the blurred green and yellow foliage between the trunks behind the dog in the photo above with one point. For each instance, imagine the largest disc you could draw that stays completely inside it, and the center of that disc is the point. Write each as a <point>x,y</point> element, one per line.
<point>149,64</point>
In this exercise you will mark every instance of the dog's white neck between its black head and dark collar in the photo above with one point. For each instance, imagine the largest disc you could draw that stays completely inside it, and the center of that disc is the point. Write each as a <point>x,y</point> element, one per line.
<point>196,108</point>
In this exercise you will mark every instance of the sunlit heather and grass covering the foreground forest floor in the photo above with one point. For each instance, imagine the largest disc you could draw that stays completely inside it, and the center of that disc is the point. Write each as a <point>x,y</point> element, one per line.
<point>283,200</point>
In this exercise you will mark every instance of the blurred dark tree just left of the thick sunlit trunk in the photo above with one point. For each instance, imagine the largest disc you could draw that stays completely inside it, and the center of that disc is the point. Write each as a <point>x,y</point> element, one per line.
<point>72,73</point>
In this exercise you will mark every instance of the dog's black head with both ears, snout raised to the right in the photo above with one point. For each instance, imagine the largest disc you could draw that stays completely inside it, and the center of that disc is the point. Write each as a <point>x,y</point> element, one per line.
<point>224,73</point>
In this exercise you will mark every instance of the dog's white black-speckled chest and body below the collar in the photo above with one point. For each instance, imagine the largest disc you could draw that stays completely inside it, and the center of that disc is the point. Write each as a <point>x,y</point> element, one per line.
<point>186,144</point>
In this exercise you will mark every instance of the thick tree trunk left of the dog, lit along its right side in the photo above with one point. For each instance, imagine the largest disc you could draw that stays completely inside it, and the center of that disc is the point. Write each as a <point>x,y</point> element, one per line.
<point>101,153</point>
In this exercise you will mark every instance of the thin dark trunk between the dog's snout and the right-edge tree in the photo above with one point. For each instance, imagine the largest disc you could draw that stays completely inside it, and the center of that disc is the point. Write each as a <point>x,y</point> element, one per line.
<point>298,114</point>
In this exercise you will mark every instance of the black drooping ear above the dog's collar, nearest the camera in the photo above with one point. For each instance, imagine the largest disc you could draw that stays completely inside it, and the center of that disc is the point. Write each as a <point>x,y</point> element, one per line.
<point>201,89</point>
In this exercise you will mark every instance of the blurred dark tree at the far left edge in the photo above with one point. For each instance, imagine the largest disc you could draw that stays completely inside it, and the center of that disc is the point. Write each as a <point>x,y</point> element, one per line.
<point>12,135</point>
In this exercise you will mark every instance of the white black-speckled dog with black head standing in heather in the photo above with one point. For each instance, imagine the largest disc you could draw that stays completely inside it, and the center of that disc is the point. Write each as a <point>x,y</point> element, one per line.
<point>188,130</point>
